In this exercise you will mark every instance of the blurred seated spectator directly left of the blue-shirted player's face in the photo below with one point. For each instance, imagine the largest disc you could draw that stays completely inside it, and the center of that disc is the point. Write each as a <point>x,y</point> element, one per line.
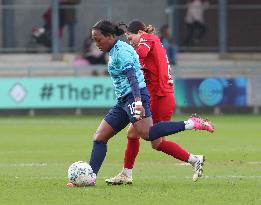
<point>92,53</point>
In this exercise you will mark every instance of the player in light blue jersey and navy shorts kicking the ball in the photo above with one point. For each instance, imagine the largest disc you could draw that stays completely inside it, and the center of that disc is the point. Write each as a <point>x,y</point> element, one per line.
<point>133,103</point>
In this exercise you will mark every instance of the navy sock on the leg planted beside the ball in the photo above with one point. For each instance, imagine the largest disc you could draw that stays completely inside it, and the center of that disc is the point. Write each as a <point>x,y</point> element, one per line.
<point>99,150</point>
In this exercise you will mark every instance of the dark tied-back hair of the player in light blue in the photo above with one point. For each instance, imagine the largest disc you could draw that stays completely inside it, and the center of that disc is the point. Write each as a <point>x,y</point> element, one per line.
<point>108,28</point>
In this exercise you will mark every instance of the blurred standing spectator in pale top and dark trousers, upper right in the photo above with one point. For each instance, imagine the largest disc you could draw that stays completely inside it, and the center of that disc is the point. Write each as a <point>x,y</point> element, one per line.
<point>194,19</point>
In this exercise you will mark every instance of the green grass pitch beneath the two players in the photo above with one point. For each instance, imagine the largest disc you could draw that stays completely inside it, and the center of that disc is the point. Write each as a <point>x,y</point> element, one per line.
<point>35,154</point>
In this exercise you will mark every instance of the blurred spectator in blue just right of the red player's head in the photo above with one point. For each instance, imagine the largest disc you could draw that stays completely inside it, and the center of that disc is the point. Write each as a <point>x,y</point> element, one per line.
<point>168,43</point>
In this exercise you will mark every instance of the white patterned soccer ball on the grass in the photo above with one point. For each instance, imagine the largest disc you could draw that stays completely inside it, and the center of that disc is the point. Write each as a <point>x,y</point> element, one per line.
<point>81,174</point>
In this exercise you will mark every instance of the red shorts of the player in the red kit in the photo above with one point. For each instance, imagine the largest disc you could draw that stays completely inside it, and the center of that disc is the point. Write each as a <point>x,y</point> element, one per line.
<point>162,107</point>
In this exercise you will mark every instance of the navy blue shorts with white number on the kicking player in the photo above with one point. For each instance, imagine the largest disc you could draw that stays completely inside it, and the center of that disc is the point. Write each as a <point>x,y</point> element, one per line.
<point>123,112</point>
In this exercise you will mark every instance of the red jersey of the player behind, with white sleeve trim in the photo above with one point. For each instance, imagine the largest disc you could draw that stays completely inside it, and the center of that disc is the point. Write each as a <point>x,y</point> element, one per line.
<point>155,65</point>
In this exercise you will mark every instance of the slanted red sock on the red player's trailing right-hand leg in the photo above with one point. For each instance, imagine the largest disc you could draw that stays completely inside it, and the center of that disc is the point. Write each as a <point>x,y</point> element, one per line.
<point>173,149</point>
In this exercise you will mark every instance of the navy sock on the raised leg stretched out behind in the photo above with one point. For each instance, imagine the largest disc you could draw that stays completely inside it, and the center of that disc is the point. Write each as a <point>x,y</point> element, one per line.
<point>163,129</point>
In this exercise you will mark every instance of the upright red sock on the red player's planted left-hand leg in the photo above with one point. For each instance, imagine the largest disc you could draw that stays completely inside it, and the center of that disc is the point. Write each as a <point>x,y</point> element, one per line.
<point>131,152</point>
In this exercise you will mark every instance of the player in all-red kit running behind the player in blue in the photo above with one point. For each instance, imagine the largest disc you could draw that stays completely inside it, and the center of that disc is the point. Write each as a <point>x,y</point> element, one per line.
<point>157,73</point>
